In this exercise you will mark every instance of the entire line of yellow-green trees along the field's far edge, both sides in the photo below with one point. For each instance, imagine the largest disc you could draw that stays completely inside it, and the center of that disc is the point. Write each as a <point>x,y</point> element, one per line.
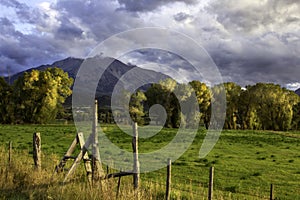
<point>38,97</point>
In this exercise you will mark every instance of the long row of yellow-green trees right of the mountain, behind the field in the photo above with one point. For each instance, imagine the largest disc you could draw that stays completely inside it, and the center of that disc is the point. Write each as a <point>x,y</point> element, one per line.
<point>263,106</point>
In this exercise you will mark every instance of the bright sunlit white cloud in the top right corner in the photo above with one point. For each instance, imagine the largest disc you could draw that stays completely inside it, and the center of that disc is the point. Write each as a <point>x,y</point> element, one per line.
<point>242,16</point>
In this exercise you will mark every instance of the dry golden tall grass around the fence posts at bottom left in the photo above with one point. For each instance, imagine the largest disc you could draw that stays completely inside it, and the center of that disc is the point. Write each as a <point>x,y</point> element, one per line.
<point>20,180</point>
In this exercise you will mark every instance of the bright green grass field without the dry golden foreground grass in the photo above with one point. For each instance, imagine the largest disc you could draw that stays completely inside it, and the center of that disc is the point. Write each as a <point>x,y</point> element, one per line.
<point>245,162</point>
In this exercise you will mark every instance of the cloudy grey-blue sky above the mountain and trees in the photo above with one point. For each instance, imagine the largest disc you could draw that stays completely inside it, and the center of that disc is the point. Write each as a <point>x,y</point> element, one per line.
<point>250,41</point>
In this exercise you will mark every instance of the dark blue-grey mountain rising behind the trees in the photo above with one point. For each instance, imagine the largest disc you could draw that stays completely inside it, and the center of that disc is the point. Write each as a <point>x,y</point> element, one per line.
<point>110,77</point>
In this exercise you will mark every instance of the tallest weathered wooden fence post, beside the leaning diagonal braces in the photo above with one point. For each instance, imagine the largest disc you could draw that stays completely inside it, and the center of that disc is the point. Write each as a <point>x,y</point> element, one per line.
<point>97,171</point>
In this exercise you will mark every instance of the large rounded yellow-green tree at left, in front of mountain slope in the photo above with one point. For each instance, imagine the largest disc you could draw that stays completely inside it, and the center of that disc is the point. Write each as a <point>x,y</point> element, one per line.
<point>38,95</point>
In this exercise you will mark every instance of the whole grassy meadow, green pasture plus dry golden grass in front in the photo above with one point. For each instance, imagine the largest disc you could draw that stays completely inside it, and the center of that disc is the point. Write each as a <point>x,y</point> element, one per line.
<point>245,162</point>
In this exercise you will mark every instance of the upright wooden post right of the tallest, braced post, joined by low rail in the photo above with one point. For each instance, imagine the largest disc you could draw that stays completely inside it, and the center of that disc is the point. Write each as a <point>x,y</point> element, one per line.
<point>136,164</point>
